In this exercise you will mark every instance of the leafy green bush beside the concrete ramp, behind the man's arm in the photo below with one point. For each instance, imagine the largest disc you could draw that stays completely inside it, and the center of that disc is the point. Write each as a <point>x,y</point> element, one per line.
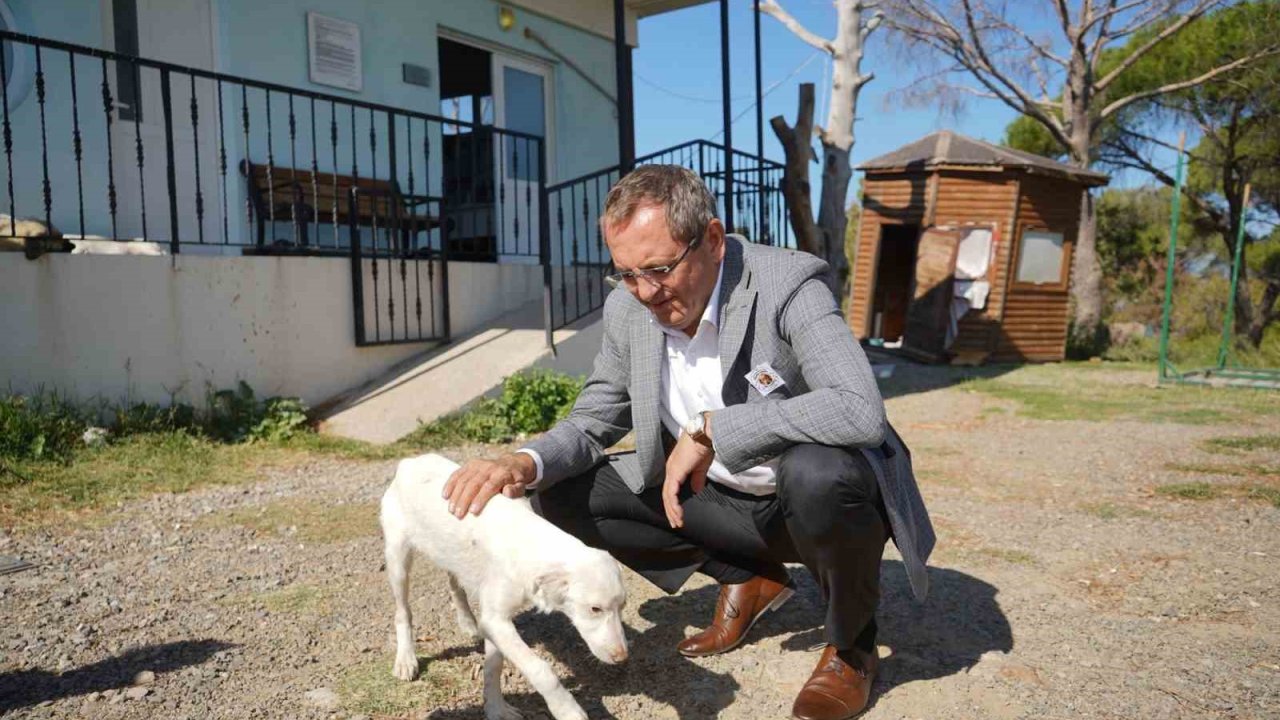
<point>532,402</point>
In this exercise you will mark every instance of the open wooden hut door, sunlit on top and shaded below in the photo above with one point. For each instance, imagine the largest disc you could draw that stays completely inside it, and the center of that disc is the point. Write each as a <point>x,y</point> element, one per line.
<point>931,300</point>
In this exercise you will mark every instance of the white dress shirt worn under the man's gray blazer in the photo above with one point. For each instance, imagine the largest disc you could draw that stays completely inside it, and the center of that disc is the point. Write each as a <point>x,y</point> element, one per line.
<point>692,384</point>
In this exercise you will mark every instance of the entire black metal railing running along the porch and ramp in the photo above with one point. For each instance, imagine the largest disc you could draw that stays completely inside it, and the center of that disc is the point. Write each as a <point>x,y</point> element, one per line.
<point>115,148</point>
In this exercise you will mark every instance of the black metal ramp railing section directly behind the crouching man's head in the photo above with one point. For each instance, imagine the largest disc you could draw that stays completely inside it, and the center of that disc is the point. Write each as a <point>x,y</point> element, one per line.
<point>579,258</point>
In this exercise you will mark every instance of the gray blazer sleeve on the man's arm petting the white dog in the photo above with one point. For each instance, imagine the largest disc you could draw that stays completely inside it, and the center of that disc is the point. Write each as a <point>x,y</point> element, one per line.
<point>602,413</point>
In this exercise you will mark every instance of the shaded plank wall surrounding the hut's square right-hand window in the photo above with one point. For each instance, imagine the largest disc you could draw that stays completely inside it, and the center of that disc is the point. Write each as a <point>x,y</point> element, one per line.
<point>1035,320</point>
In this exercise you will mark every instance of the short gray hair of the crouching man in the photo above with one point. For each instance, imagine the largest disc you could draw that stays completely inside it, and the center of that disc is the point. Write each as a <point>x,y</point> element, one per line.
<point>689,206</point>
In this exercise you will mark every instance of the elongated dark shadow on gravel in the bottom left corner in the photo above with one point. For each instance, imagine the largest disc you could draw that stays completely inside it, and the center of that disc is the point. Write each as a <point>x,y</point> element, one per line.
<point>26,689</point>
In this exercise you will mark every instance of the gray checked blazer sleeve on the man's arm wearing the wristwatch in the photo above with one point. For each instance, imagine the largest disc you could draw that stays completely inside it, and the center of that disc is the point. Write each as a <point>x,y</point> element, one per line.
<point>844,405</point>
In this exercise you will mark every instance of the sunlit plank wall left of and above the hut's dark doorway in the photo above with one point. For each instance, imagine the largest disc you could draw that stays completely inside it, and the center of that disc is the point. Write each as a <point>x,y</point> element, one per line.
<point>892,199</point>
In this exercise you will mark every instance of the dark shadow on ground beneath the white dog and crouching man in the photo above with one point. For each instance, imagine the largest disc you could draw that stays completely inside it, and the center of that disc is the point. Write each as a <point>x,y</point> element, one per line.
<point>961,621</point>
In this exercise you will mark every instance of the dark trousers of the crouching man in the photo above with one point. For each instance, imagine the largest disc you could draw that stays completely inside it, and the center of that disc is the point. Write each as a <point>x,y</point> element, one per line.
<point>828,513</point>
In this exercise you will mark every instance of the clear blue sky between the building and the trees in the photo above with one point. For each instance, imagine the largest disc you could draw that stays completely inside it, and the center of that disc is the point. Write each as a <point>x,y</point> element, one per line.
<point>678,83</point>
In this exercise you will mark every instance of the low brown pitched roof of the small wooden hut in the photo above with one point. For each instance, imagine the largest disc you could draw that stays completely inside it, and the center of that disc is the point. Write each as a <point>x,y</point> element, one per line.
<point>945,148</point>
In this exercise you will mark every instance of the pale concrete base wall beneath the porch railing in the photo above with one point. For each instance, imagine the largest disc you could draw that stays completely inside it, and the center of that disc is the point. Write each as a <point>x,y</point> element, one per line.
<point>150,329</point>
